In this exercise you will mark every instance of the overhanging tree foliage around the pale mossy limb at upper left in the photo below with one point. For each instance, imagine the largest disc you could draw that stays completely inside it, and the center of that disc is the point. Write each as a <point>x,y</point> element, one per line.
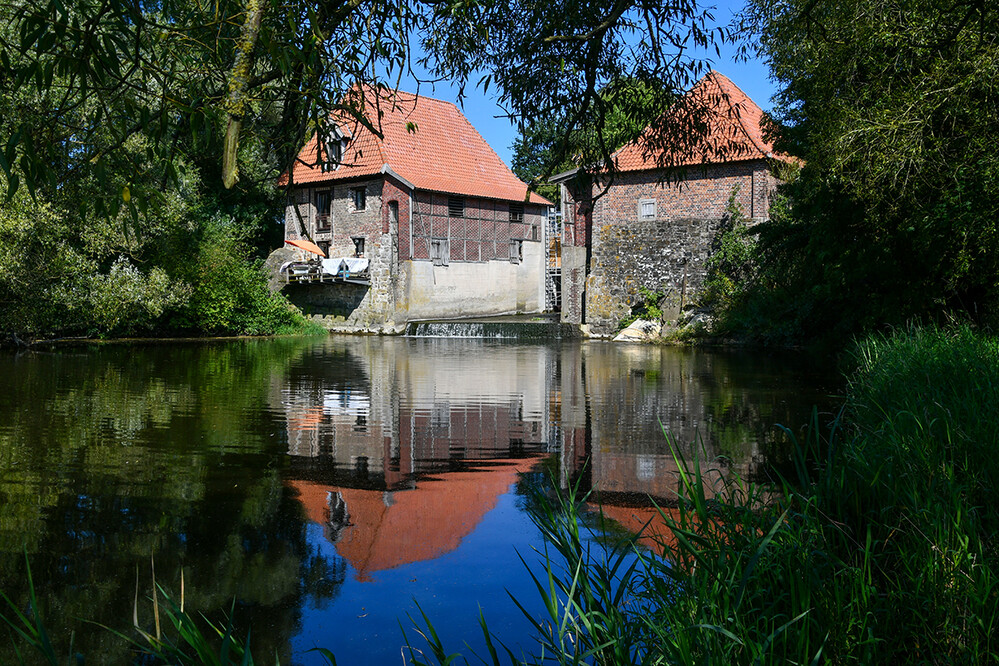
<point>182,71</point>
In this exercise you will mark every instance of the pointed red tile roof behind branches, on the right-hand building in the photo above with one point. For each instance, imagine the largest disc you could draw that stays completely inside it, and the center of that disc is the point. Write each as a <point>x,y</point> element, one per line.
<point>714,122</point>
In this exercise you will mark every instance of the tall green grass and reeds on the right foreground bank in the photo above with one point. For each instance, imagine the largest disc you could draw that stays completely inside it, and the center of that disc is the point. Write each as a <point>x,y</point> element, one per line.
<point>881,550</point>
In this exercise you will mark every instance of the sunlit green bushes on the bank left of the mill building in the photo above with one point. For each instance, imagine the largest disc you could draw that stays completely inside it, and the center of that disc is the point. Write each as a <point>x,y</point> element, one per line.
<point>189,270</point>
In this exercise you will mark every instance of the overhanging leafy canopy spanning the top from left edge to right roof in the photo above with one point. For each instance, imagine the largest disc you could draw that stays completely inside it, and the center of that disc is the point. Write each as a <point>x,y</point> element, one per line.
<point>214,72</point>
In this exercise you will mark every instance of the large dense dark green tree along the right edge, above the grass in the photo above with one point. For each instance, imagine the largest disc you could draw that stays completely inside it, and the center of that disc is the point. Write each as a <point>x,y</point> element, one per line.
<point>894,106</point>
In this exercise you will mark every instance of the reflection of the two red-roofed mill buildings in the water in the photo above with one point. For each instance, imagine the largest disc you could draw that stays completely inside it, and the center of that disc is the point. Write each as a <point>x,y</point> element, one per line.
<point>401,446</point>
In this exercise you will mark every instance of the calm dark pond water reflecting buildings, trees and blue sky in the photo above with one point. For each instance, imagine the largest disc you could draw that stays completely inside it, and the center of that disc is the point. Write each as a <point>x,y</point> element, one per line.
<point>330,485</point>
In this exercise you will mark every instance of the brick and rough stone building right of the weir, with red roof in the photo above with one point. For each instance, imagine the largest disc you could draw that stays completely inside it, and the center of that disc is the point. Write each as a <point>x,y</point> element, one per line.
<point>653,222</point>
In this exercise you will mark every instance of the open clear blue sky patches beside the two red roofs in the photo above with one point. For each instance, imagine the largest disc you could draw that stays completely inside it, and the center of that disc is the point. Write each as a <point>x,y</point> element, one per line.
<point>485,114</point>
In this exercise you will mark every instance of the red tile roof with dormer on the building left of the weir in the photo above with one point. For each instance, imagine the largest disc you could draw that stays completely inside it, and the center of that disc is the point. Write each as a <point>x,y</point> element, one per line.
<point>426,142</point>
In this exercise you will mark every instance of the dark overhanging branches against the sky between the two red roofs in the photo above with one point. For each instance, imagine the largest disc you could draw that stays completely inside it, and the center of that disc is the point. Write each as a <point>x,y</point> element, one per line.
<point>569,71</point>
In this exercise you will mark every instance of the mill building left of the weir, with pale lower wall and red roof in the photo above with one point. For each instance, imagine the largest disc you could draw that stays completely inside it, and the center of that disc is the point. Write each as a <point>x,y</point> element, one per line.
<point>446,228</point>
